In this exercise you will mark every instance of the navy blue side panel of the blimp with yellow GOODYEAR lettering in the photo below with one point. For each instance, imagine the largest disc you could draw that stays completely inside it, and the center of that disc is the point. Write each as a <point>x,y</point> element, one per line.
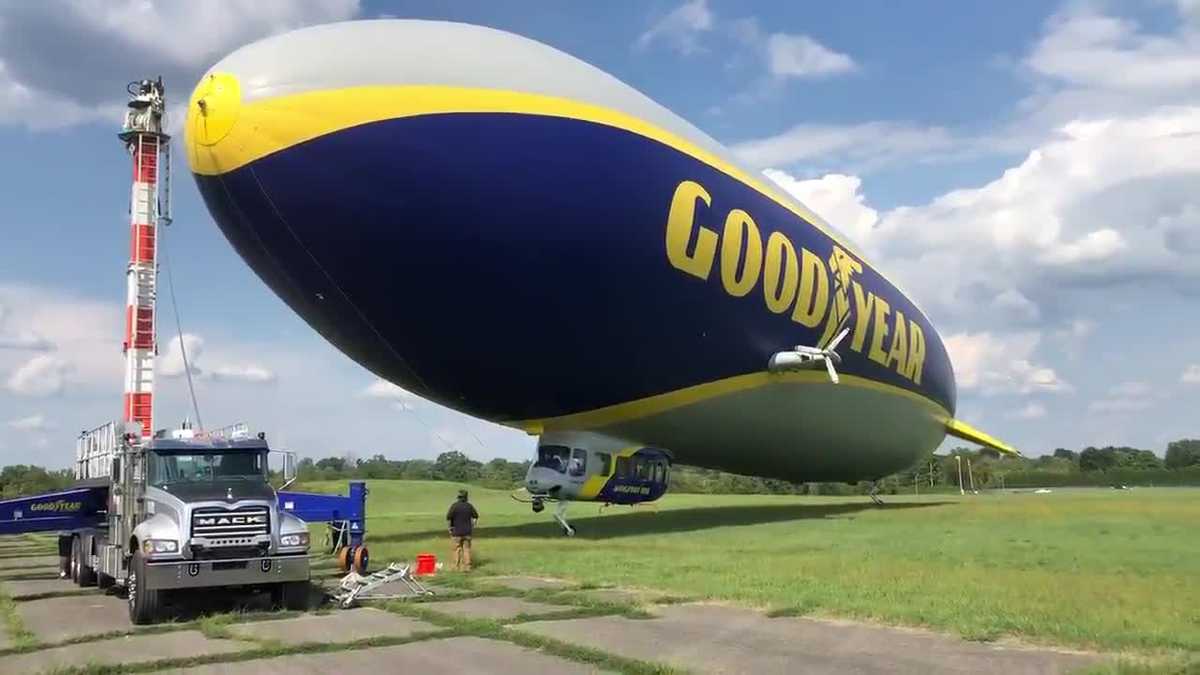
<point>526,267</point>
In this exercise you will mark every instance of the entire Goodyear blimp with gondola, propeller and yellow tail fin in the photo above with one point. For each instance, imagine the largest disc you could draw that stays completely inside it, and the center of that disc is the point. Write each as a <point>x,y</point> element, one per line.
<point>503,229</point>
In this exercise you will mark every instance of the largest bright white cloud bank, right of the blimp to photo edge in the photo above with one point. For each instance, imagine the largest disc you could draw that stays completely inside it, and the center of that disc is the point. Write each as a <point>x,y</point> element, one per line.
<point>1082,211</point>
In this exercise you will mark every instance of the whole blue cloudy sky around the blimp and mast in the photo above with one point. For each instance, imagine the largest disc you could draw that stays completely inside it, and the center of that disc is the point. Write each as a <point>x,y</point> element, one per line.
<point>1027,172</point>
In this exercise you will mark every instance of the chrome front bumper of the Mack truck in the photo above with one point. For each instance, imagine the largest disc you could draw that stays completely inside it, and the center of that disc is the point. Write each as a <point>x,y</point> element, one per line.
<point>241,572</point>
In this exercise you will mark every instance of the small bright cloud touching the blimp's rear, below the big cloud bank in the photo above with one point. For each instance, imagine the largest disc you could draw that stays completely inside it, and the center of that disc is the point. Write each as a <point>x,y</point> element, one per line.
<point>999,365</point>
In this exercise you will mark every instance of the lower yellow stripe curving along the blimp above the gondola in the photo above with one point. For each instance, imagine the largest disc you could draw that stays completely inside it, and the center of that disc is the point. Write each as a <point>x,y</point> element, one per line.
<point>671,401</point>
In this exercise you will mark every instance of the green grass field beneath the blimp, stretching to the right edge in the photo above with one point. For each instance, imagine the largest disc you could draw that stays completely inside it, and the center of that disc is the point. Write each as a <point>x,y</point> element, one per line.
<point>1118,571</point>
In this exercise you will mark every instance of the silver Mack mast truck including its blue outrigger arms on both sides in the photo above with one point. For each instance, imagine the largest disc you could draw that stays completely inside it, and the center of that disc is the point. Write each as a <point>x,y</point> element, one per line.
<point>187,511</point>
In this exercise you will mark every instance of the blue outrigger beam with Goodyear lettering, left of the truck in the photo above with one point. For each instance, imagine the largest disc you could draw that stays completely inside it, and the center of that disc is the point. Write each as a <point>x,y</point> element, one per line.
<point>70,510</point>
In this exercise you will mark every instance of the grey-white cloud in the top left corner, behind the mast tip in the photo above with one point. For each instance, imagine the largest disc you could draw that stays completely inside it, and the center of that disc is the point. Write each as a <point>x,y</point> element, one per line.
<point>67,63</point>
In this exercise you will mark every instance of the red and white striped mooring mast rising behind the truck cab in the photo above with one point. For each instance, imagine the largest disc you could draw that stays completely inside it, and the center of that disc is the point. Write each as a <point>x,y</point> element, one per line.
<point>149,147</point>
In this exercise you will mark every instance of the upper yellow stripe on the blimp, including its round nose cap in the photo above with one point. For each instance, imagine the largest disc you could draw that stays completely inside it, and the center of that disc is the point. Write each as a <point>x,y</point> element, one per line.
<point>225,133</point>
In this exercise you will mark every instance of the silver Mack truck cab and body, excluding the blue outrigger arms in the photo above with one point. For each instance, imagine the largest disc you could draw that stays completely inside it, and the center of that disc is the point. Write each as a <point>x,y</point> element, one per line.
<point>188,512</point>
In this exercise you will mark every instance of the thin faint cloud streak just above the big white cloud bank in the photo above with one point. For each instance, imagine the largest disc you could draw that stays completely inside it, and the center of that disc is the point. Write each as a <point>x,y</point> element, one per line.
<point>866,146</point>
